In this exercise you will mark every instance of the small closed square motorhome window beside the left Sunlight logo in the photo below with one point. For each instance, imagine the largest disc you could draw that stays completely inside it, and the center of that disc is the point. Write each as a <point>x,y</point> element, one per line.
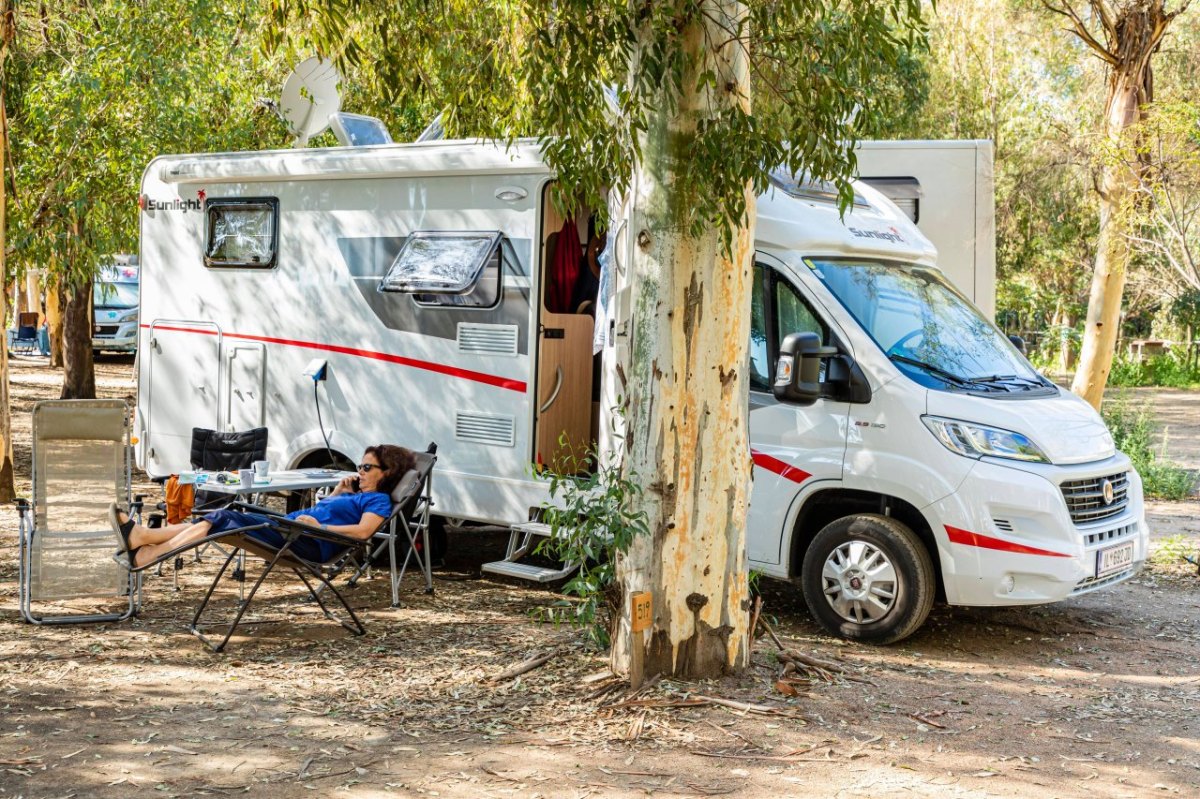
<point>243,232</point>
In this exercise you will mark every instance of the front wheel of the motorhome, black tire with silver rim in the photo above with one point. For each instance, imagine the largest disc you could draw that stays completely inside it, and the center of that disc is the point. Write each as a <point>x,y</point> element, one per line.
<point>880,611</point>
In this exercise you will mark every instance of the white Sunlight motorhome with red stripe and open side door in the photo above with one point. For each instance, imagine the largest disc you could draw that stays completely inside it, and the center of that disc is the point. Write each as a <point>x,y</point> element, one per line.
<point>935,461</point>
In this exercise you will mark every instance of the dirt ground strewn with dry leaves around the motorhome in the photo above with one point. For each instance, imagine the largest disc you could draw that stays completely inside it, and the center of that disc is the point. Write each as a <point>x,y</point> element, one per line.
<point>1094,698</point>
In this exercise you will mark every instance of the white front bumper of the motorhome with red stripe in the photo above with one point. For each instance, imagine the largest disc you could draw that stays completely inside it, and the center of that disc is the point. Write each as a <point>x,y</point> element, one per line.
<point>1006,537</point>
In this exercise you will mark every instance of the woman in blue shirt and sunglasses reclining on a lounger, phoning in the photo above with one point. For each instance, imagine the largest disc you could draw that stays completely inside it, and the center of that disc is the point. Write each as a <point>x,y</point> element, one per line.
<point>356,509</point>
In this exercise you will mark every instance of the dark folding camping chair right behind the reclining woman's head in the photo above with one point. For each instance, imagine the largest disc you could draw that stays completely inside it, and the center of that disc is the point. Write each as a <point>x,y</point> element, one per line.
<point>412,502</point>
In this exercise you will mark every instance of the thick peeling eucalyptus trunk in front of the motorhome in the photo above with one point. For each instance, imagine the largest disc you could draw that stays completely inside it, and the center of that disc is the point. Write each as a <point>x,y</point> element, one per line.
<point>686,387</point>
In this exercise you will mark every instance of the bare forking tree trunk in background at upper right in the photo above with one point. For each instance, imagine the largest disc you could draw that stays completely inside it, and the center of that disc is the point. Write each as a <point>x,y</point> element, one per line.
<point>1130,33</point>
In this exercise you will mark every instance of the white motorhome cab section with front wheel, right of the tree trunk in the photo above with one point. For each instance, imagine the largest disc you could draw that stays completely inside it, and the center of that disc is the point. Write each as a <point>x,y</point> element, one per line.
<point>937,460</point>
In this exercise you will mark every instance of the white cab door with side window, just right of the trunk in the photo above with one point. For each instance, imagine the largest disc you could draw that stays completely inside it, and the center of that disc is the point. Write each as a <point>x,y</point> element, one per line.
<point>791,447</point>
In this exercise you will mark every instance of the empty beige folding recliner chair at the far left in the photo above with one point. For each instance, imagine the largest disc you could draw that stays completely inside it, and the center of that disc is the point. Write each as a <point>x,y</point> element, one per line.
<point>81,466</point>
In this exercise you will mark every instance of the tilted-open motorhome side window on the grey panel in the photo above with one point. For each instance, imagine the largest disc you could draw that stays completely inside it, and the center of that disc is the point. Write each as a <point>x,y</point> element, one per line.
<point>448,269</point>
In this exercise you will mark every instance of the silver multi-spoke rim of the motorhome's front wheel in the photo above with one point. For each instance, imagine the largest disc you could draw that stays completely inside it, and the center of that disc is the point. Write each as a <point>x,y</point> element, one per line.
<point>860,582</point>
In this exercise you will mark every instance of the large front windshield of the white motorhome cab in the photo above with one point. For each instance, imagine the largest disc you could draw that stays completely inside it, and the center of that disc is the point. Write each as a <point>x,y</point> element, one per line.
<point>928,328</point>
